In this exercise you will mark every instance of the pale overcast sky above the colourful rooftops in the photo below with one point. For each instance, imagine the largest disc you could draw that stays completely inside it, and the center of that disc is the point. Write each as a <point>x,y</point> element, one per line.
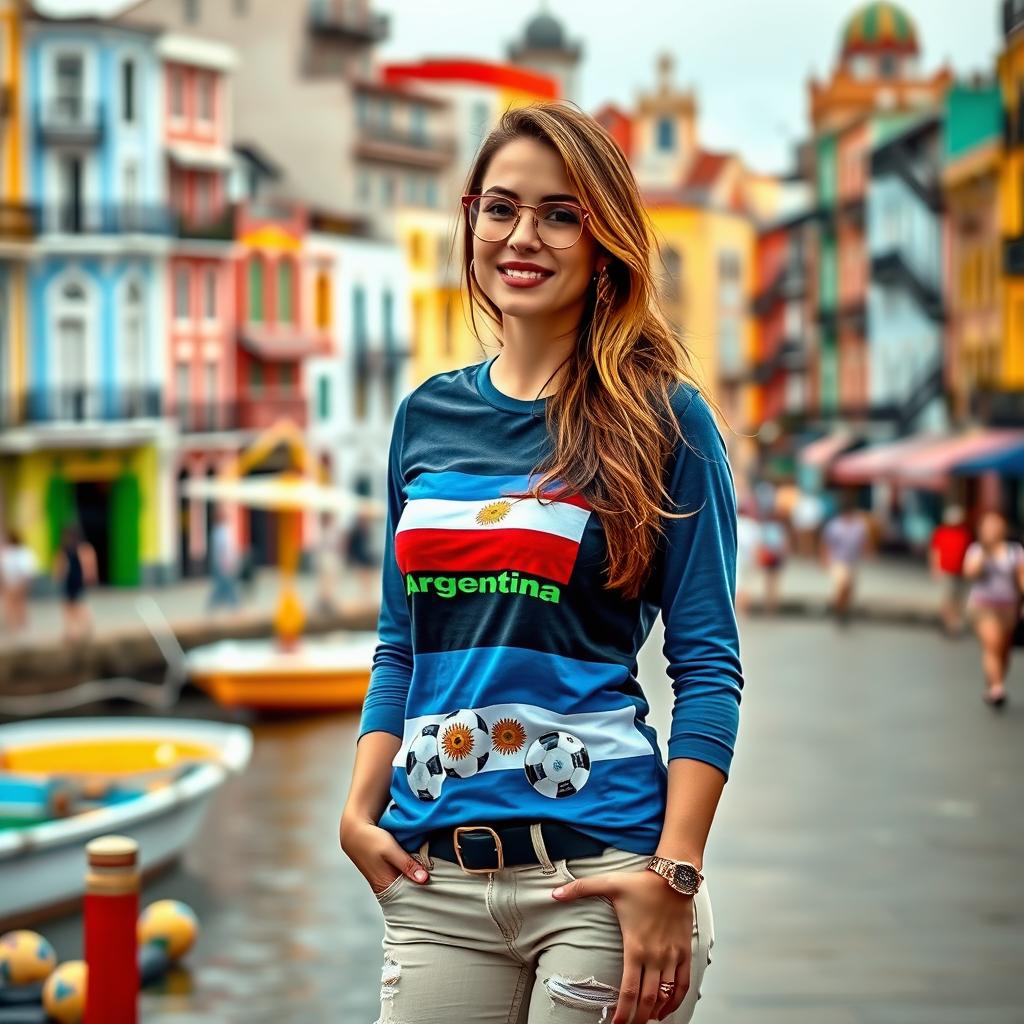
<point>748,61</point>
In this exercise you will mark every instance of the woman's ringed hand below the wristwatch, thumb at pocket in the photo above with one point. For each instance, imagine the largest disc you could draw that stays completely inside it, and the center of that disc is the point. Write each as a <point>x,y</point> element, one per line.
<point>658,928</point>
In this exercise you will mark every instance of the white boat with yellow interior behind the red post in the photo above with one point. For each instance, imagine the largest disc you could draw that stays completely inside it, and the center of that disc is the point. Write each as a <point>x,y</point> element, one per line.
<point>66,782</point>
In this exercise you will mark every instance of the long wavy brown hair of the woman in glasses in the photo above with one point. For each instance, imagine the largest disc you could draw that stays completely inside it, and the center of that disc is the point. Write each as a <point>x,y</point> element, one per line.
<point>611,420</point>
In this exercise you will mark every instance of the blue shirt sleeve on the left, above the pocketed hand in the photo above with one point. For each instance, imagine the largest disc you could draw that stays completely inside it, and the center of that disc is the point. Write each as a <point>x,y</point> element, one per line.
<point>385,708</point>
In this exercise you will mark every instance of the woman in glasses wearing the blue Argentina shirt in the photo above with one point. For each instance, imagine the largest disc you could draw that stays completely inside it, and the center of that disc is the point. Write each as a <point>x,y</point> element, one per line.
<point>536,860</point>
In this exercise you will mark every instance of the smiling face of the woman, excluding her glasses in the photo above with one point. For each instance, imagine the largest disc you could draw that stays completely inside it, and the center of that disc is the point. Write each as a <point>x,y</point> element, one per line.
<point>532,173</point>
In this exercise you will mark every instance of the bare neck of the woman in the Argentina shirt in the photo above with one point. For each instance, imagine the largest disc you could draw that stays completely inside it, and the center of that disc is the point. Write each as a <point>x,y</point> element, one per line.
<point>532,352</point>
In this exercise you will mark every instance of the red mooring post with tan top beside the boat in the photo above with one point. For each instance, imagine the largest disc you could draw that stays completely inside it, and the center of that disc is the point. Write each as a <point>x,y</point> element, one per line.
<point>111,919</point>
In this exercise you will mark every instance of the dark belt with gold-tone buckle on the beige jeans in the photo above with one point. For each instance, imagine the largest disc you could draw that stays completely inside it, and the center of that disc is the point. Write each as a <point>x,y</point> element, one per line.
<point>479,849</point>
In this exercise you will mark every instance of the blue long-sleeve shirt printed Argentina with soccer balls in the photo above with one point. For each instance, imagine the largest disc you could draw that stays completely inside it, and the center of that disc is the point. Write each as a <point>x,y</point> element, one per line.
<point>504,664</point>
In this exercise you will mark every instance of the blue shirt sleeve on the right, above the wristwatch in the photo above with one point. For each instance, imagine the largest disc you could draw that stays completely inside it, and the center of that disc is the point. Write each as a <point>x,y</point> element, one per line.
<point>698,595</point>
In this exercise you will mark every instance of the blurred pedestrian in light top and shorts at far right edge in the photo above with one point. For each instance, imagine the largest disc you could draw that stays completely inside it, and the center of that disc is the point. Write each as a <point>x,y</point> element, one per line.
<point>995,566</point>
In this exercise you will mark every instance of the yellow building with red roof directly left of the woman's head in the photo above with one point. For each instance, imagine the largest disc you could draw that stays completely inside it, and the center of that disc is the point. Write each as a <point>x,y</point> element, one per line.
<point>479,93</point>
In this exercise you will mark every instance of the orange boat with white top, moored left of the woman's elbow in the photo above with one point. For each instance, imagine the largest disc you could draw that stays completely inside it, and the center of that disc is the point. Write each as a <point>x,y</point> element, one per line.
<point>325,673</point>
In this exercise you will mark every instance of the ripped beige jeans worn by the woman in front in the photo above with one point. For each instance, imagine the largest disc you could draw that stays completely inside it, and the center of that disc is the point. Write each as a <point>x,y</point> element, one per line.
<point>497,949</point>
